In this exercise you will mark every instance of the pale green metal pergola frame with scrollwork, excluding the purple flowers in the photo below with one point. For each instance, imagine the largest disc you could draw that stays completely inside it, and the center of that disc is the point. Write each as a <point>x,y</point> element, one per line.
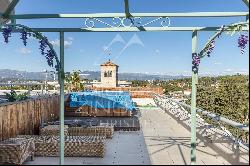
<point>124,22</point>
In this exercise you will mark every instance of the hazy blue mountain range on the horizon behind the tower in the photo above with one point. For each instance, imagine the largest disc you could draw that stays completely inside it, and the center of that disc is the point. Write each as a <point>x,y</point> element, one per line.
<point>6,74</point>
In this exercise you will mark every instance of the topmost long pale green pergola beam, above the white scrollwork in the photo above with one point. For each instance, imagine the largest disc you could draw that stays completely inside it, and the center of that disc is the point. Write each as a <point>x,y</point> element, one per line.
<point>112,15</point>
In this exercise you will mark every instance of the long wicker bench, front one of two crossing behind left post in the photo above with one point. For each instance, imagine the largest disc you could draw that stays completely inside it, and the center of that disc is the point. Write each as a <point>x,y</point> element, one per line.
<point>75,146</point>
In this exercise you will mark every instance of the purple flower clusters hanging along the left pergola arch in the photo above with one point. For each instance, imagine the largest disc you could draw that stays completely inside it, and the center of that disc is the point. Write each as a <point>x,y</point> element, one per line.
<point>45,48</point>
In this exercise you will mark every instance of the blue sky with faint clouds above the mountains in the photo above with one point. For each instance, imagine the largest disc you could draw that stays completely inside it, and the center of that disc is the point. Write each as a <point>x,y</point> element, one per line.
<point>144,52</point>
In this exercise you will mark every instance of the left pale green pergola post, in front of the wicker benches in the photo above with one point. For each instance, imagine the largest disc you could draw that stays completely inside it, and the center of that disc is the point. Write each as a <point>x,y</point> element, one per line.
<point>61,81</point>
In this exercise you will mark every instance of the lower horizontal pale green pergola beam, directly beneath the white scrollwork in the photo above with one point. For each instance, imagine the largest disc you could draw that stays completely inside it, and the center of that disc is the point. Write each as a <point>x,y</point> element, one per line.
<point>128,29</point>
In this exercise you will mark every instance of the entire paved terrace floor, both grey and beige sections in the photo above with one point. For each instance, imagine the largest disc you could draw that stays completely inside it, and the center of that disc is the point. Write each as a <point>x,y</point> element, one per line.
<point>162,140</point>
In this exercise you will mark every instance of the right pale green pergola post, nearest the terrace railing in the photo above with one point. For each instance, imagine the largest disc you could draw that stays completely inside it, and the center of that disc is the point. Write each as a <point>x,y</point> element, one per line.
<point>193,103</point>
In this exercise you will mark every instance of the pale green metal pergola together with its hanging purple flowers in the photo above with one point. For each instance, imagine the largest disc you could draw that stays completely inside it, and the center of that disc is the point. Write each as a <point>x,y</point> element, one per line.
<point>125,22</point>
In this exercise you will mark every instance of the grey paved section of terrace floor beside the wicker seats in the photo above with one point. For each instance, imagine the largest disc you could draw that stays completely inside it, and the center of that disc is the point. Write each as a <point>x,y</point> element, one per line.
<point>123,149</point>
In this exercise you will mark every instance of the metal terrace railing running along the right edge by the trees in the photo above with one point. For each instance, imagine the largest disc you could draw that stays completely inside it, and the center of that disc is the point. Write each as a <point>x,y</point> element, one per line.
<point>215,134</point>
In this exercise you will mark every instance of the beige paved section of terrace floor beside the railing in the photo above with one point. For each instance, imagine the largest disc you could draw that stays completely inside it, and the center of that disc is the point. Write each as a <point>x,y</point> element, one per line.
<point>168,142</point>
